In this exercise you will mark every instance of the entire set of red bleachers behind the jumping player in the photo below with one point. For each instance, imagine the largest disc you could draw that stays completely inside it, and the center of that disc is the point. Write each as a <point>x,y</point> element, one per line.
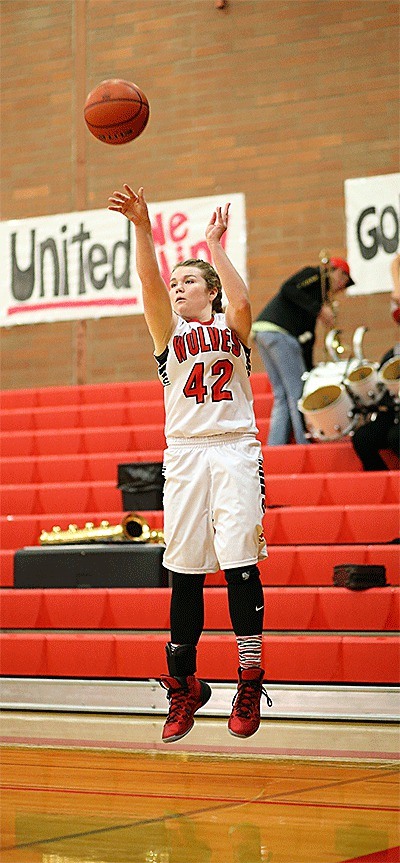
<point>61,447</point>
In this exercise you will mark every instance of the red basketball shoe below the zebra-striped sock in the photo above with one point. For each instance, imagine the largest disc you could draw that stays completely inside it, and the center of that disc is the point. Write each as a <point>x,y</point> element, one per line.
<point>245,717</point>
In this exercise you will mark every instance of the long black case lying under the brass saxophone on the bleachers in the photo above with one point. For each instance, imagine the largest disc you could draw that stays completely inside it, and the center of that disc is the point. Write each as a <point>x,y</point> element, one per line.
<point>125,564</point>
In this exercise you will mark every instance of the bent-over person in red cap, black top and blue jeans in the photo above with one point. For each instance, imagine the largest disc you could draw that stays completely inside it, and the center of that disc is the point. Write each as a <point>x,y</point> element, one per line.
<point>284,332</point>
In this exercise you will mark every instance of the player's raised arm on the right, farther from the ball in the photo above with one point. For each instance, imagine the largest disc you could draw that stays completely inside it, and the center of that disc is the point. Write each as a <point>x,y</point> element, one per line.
<point>238,310</point>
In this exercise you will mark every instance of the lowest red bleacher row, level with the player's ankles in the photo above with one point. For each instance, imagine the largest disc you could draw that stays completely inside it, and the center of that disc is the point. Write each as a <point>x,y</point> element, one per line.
<point>352,659</point>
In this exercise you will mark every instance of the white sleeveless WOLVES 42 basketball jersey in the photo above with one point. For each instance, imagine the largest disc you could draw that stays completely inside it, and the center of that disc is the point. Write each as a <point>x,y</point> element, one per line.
<point>205,373</point>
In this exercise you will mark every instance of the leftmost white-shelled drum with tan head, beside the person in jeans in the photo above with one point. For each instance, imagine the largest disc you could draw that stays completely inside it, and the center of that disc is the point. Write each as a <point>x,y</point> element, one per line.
<point>328,412</point>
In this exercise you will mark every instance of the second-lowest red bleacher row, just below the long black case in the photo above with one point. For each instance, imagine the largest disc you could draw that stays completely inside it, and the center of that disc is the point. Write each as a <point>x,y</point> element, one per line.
<point>292,609</point>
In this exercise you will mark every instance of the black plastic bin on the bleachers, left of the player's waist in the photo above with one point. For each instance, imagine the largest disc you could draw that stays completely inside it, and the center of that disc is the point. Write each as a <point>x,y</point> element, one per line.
<point>141,484</point>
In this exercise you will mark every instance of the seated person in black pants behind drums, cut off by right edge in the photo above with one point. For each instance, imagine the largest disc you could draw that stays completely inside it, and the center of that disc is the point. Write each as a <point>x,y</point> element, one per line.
<point>382,429</point>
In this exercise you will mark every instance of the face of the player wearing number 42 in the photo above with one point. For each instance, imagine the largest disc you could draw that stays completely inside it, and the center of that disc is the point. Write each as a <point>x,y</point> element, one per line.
<point>190,296</point>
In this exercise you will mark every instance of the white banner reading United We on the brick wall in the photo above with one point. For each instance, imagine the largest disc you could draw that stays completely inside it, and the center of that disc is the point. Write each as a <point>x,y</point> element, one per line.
<point>82,265</point>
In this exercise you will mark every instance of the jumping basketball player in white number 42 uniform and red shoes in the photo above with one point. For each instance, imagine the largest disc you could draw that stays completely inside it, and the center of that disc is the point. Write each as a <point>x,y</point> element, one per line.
<point>214,485</point>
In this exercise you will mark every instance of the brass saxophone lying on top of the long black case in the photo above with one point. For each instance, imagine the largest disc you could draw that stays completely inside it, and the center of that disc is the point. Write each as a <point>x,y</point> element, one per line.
<point>132,528</point>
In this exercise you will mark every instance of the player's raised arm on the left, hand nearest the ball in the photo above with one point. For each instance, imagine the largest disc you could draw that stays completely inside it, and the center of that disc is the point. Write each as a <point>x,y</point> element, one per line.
<point>156,302</point>
